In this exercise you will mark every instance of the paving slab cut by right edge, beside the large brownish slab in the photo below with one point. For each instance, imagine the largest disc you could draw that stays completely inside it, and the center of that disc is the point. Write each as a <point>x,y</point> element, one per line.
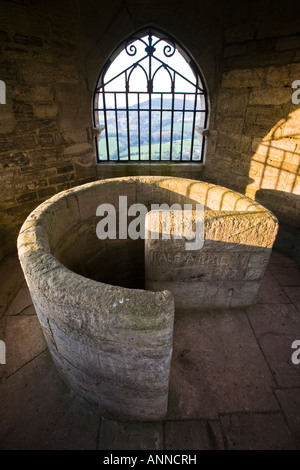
<point>276,327</point>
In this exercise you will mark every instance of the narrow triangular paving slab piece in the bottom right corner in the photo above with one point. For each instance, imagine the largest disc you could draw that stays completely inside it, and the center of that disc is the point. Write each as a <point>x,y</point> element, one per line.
<point>290,403</point>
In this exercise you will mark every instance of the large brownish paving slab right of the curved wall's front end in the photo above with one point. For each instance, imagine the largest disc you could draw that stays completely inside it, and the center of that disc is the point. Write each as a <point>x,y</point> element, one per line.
<point>217,367</point>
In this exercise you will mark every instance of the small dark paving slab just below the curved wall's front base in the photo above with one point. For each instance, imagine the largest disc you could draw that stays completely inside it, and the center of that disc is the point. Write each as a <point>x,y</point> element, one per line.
<point>116,435</point>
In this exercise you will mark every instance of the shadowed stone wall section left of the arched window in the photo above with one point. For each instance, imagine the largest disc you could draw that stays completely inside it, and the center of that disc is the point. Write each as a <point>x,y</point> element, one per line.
<point>45,145</point>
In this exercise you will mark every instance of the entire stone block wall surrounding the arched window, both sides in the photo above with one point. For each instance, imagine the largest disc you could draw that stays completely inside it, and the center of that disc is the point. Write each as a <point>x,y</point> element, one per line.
<point>51,53</point>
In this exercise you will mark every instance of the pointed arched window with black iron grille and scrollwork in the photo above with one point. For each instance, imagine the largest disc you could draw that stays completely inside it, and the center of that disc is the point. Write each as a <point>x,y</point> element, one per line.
<point>150,103</point>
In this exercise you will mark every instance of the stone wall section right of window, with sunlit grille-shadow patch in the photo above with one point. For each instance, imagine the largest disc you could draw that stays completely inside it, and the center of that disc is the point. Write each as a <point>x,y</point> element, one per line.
<point>255,138</point>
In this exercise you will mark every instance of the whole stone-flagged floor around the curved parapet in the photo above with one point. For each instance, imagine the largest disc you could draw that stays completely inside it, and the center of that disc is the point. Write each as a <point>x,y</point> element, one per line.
<point>233,384</point>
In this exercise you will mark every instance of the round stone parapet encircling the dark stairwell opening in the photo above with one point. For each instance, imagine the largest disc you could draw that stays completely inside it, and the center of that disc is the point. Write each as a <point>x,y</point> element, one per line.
<point>110,339</point>
